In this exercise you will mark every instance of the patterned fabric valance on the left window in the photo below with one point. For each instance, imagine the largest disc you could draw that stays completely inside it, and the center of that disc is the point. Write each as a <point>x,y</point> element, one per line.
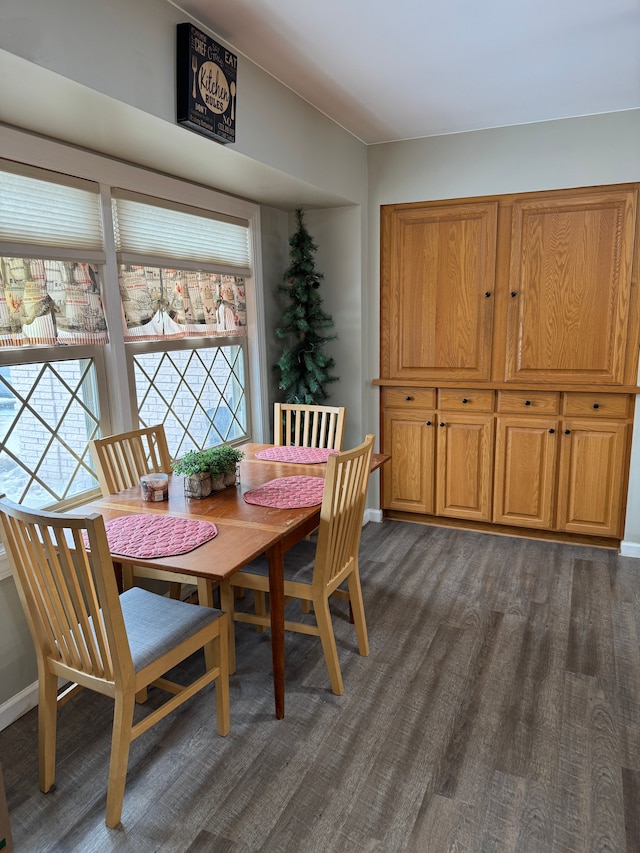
<point>53,303</point>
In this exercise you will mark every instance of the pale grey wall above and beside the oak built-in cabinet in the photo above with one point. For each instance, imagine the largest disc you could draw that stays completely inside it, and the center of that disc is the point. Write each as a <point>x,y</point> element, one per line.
<point>571,153</point>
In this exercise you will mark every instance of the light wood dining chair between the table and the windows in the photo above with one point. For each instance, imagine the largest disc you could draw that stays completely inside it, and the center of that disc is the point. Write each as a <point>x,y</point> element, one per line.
<point>120,461</point>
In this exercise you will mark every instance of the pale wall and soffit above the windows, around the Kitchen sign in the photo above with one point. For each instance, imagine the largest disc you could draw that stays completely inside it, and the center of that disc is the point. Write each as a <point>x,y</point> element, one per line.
<point>102,75</point>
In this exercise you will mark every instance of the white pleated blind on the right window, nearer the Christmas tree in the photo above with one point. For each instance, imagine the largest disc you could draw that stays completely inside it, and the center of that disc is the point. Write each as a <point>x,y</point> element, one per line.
<point>151,232</point>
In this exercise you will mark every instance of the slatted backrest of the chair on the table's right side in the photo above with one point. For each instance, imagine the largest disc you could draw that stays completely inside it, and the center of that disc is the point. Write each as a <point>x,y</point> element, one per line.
<point>345,492</point>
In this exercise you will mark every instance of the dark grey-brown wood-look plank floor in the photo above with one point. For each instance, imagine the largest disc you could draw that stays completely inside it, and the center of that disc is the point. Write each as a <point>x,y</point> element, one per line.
<point>499,710</point>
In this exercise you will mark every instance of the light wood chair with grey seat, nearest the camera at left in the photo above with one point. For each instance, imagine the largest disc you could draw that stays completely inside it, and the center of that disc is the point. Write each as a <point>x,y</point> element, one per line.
<point>84,632</point>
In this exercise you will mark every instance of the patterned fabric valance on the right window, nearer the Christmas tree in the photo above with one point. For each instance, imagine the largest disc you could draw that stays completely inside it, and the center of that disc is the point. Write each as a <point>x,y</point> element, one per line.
<point>167,303</point>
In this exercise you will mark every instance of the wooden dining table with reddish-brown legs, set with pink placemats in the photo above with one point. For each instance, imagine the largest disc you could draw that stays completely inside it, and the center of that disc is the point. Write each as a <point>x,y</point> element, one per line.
<point>244,531</point>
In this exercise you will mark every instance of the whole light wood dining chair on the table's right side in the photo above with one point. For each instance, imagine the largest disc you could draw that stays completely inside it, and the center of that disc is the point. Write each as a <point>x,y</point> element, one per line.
<point>335,563</point>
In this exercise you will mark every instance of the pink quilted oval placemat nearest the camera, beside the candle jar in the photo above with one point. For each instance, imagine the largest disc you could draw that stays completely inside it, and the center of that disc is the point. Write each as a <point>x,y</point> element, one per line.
<point>148,536</point>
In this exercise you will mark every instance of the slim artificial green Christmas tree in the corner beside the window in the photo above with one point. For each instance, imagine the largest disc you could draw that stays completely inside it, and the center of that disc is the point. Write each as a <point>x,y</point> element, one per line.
<point>305,369</point>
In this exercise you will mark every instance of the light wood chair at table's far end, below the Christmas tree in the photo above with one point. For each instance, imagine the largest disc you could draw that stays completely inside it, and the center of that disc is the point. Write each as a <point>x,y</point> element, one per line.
<point>308,426</point>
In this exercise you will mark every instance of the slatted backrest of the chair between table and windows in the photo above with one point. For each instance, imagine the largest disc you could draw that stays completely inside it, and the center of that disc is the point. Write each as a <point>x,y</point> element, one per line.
<point>121,460</point>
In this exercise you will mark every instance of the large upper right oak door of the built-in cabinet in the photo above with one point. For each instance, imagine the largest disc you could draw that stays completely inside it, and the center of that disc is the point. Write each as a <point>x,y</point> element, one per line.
<point>570,286</point>
